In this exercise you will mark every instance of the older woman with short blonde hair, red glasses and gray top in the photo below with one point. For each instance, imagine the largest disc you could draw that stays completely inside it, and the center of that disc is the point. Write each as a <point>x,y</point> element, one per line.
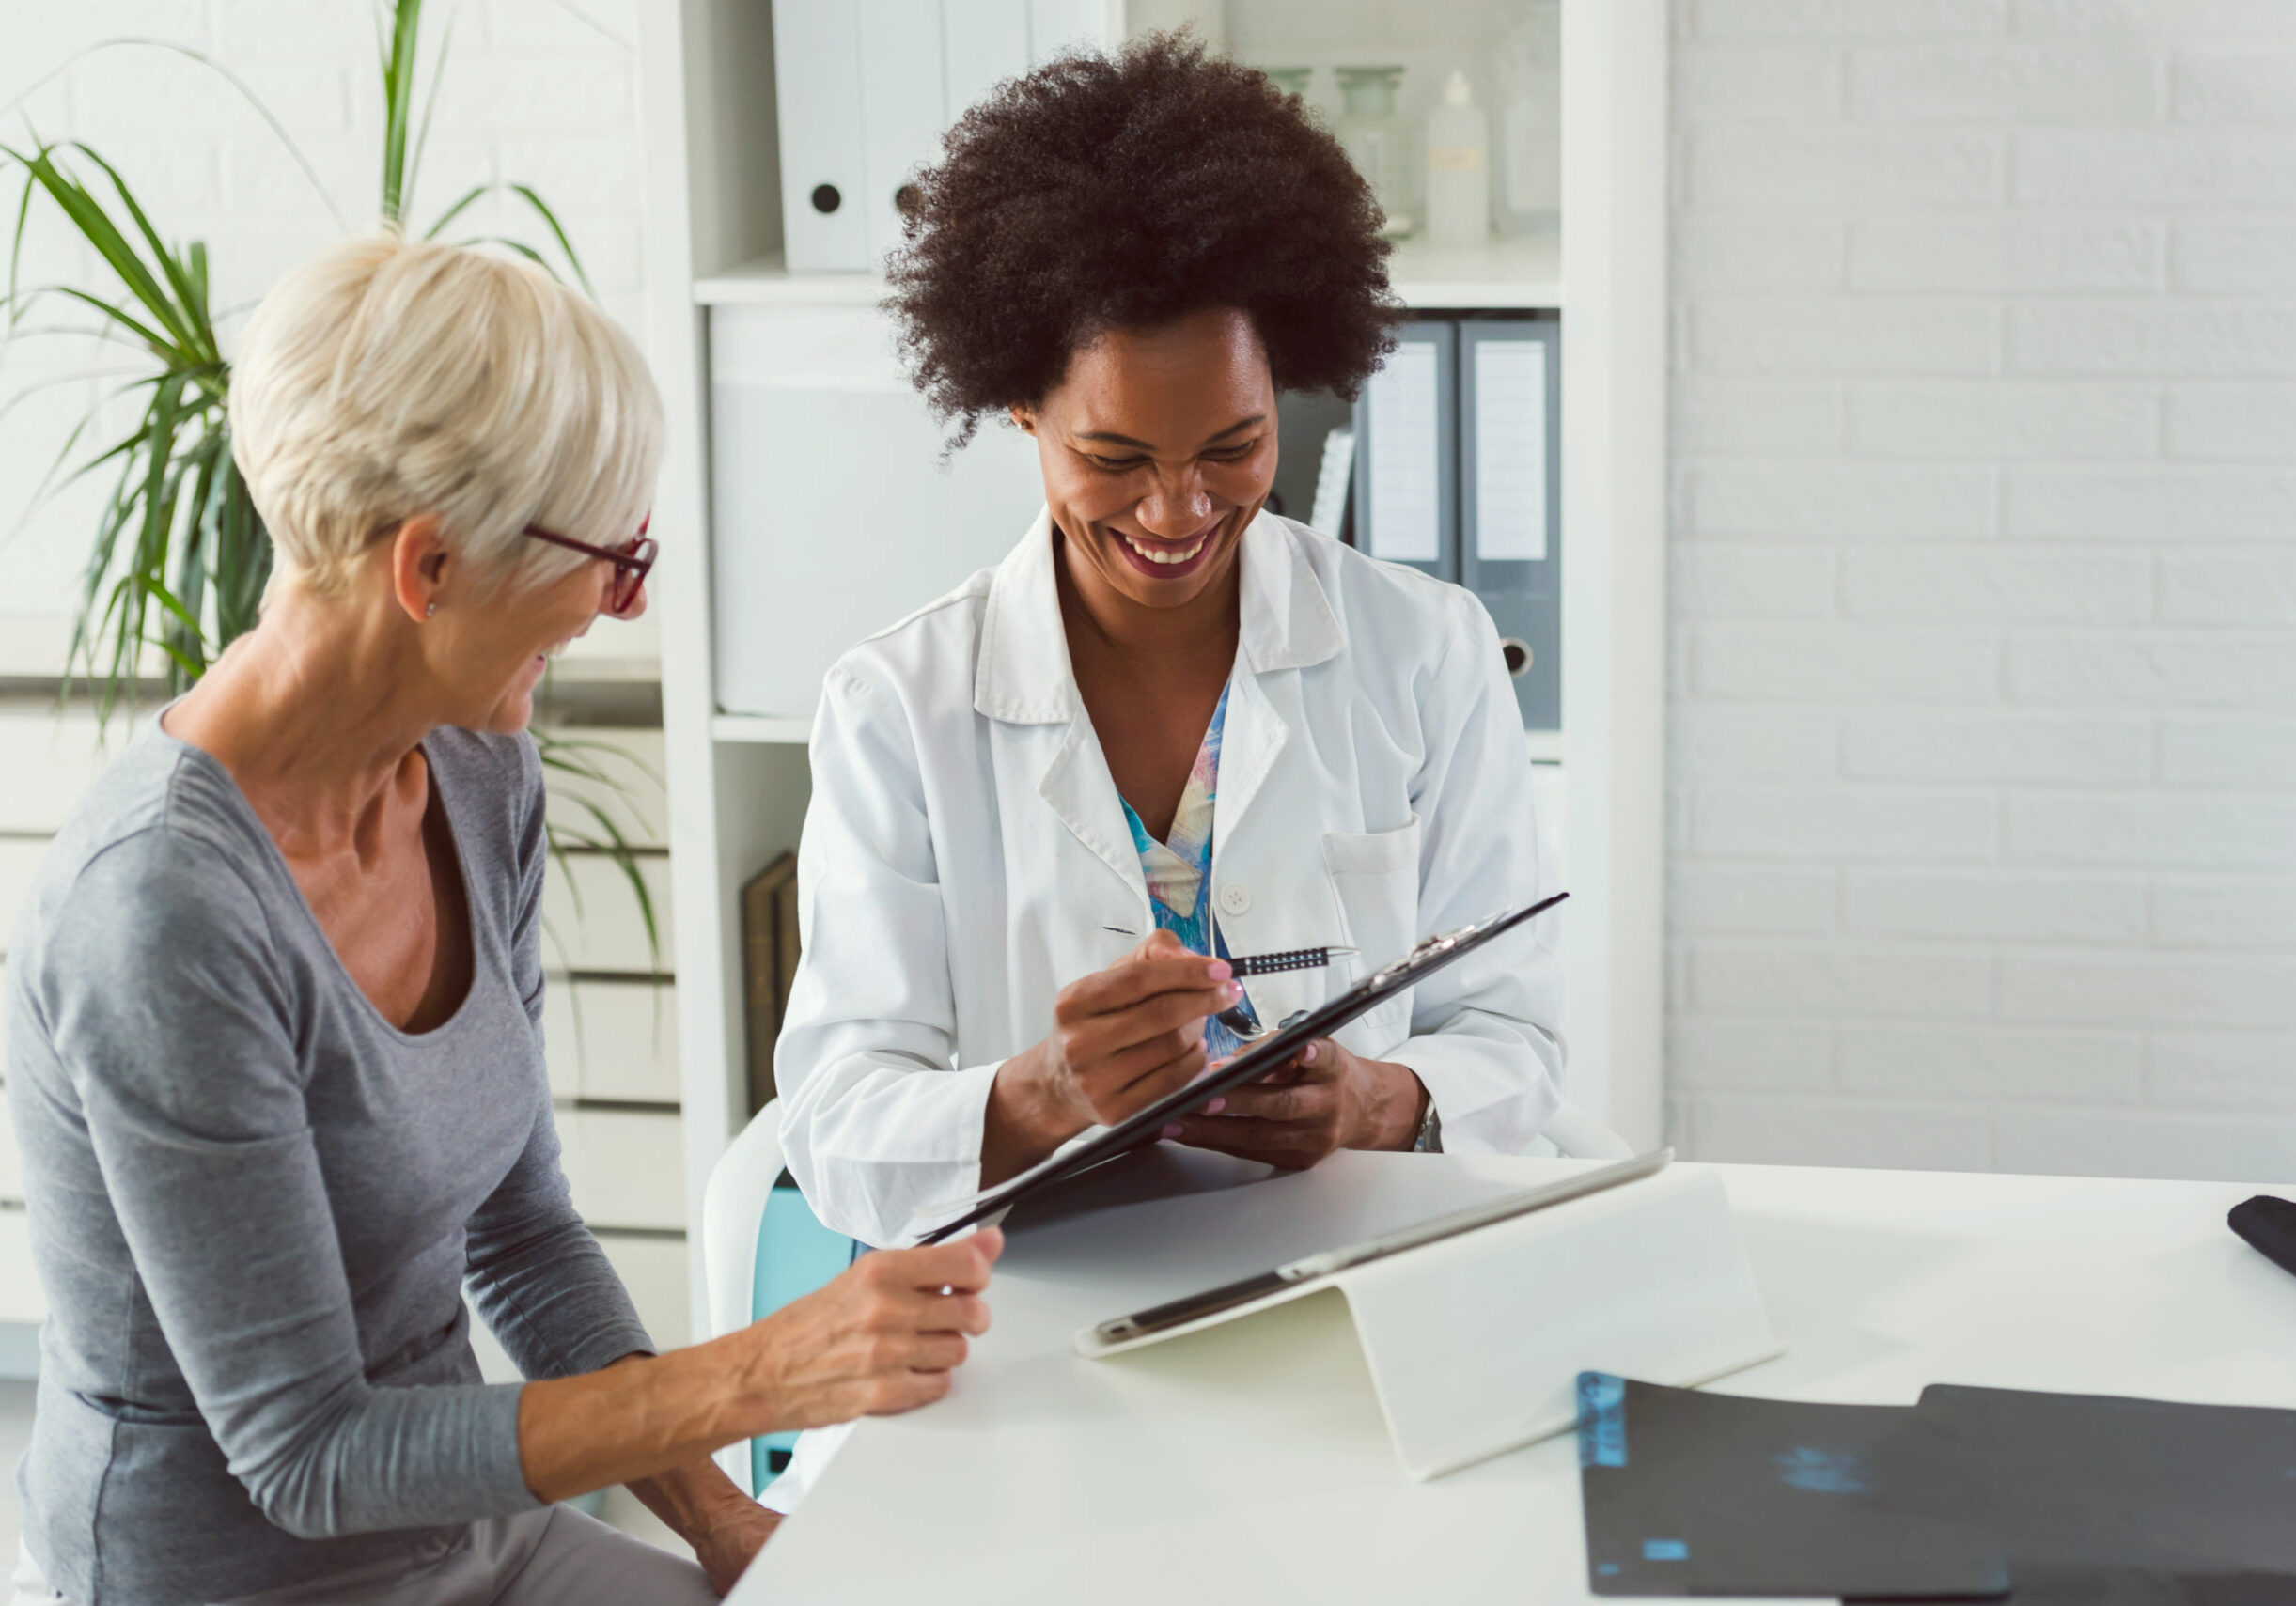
<point>272,1034</point>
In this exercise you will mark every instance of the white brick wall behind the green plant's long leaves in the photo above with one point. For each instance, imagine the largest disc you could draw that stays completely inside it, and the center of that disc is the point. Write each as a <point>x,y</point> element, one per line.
<point>536,91</point>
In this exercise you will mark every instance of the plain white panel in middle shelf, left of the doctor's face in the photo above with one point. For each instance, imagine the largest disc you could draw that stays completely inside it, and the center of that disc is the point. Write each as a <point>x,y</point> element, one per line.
<point>835,513</point>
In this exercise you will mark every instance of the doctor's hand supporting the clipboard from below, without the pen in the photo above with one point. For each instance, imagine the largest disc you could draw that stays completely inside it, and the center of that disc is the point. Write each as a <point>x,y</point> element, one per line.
<point>1319,1102</point>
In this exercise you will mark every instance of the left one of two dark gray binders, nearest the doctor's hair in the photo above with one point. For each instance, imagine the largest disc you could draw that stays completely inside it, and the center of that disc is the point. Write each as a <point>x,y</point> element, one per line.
<point>1406,453</point>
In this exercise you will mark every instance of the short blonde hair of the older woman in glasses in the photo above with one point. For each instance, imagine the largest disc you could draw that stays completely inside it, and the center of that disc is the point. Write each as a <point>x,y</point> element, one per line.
<point>396,377</point>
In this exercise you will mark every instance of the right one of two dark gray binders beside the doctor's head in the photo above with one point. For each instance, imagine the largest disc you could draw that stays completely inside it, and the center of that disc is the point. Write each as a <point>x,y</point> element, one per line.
<point>1510,527</point>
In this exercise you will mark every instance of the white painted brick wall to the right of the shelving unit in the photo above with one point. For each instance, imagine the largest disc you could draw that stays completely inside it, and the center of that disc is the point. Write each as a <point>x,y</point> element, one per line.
<point>1985,584</point>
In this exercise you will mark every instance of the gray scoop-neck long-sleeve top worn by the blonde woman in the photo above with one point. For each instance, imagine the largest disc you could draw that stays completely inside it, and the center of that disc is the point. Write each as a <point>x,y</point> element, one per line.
<point>254,1201</point>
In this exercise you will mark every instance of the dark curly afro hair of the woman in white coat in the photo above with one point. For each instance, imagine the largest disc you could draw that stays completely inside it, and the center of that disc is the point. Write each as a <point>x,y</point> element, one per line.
<point>1124,192</point>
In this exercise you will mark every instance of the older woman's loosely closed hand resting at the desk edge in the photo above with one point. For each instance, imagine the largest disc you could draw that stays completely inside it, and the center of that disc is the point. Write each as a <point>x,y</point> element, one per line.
<point>878,1341</point>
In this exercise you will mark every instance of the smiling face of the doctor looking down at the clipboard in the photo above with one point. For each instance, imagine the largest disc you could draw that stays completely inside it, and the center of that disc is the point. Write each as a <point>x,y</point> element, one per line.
<point>1158,449</point>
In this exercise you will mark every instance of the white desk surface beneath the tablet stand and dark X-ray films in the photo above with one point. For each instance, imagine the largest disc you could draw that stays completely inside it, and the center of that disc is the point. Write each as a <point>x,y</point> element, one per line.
<point>1250,1465</point>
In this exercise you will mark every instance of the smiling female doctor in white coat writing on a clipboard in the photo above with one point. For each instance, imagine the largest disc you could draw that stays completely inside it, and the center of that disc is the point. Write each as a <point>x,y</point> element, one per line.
<point>1172,724</point>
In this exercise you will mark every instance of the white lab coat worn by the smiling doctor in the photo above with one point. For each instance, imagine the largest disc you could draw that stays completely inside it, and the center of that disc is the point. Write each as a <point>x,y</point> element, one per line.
<point>965,855</point>
